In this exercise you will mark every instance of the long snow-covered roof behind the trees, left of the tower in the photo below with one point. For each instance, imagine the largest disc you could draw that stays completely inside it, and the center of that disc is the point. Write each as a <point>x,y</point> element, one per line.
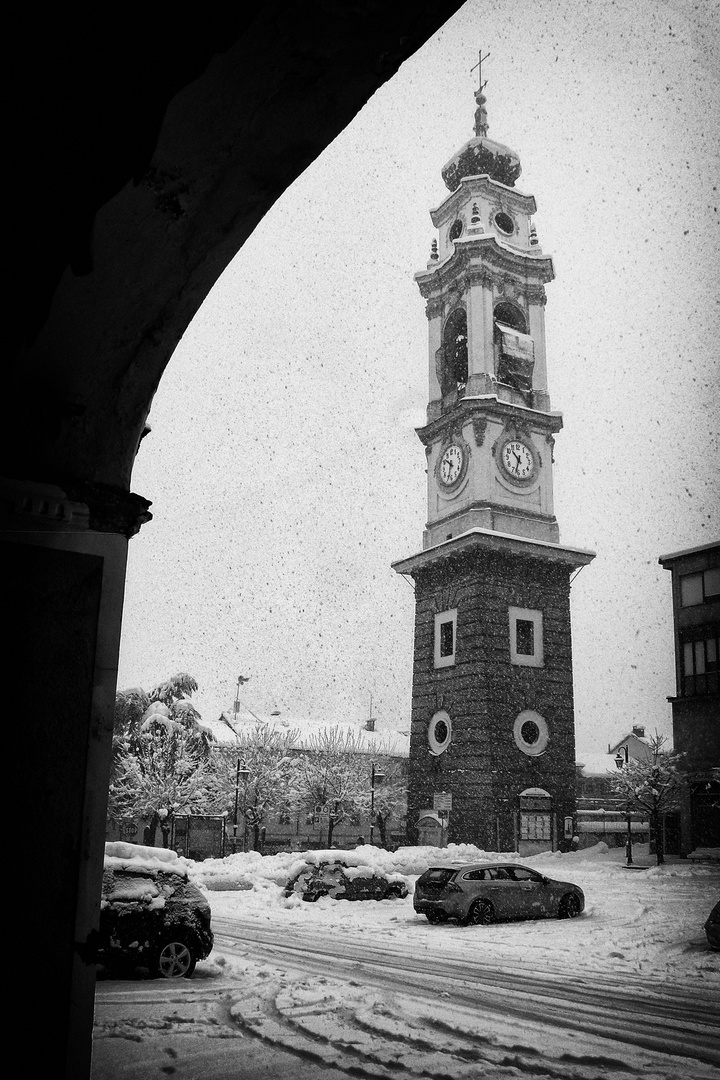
<point>382,741</point>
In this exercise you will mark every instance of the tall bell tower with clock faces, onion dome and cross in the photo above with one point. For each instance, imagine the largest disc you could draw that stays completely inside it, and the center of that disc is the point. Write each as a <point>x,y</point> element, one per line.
<point>493,727</point>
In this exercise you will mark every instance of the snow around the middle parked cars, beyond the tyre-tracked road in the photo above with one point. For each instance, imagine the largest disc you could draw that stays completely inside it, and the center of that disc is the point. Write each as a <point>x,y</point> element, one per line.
<point>646,921</point>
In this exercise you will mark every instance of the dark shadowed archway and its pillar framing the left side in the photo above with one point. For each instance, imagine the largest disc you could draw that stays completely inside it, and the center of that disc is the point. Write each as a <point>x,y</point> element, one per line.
<point>144,152</point>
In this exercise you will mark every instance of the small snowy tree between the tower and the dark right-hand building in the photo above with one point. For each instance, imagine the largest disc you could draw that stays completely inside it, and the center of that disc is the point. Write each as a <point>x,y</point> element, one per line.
<point>654,786</point>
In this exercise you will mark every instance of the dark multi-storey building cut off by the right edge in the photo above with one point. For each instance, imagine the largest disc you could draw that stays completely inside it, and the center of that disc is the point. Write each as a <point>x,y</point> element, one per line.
<point>697,701</point>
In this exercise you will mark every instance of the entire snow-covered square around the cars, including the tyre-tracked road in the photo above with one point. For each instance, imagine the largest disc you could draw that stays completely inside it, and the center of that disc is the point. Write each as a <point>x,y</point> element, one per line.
<point>334,989</point>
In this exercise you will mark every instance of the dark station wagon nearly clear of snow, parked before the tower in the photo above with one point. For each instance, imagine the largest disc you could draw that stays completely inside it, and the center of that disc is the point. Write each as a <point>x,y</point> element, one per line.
<point>482,894</point>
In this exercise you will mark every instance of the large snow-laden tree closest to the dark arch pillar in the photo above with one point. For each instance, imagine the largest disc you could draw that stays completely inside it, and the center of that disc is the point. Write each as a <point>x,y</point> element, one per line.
<point>161,758</point>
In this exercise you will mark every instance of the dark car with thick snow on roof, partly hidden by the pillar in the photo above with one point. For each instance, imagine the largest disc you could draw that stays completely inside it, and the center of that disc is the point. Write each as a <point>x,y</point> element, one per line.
<point>152,915</point>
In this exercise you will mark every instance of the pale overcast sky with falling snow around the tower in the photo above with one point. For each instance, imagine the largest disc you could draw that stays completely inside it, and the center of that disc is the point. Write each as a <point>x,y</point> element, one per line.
<point>283,465</point>
